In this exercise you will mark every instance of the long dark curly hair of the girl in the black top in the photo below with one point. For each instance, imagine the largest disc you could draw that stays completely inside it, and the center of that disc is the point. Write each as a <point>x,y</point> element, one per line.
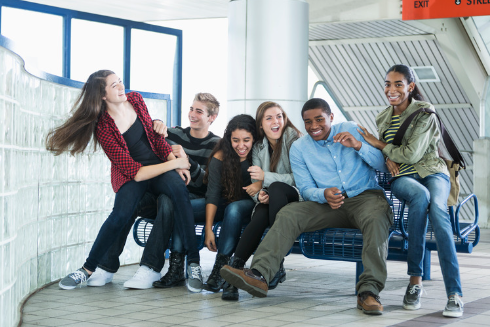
<point>231,176</point>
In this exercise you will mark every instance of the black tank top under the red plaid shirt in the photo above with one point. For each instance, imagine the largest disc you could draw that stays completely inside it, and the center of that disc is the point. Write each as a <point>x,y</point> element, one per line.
<point>139,146</point>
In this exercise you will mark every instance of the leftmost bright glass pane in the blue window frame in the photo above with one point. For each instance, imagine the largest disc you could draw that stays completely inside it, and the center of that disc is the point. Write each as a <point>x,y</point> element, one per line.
<point>38,37</point>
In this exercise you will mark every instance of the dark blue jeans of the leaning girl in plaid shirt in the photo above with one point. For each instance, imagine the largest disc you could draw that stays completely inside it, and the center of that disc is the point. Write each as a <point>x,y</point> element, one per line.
<point>125,203</point>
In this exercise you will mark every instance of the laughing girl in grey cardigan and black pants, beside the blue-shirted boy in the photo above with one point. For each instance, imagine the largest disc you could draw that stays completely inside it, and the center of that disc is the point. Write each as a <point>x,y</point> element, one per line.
<point>271,167</point>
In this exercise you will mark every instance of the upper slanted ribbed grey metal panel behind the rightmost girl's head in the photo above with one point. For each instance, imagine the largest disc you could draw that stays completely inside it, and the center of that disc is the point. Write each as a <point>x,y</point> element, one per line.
<point>355,72</point>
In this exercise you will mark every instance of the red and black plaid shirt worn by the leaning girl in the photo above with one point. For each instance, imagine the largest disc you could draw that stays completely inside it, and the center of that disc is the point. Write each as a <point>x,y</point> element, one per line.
<point>123,167</point>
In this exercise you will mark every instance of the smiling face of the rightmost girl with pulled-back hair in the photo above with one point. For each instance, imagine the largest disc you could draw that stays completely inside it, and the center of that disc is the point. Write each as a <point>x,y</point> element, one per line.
<point>397,90</point>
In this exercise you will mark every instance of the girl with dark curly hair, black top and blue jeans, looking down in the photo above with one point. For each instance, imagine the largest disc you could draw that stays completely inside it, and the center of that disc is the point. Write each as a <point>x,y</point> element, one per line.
<point>226,197</point>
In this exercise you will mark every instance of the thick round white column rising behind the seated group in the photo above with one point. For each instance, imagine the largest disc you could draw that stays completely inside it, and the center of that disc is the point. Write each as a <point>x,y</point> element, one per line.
<point>267,56</point>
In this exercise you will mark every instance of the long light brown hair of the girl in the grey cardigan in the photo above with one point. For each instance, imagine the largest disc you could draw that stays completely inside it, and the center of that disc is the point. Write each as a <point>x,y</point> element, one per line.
<point>276,154</point>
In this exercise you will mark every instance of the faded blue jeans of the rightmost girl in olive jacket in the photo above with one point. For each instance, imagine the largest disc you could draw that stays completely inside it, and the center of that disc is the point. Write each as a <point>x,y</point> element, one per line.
<point>429,195</point>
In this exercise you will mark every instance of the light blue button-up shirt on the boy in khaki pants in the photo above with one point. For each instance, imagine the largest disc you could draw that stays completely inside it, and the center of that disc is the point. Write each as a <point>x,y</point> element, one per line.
<point>328,163</point>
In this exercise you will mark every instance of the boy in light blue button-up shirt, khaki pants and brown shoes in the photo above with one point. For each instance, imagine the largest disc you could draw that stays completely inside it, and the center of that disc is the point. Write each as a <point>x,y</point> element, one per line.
<point>335,171</point>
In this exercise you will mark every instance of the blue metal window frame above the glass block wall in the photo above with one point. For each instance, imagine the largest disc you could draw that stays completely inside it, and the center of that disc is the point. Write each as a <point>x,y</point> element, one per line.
<point>173,115</point>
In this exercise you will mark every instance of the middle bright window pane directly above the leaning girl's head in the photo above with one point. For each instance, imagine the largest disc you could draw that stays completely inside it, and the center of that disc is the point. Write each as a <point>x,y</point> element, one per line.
<point>95,46</point>
